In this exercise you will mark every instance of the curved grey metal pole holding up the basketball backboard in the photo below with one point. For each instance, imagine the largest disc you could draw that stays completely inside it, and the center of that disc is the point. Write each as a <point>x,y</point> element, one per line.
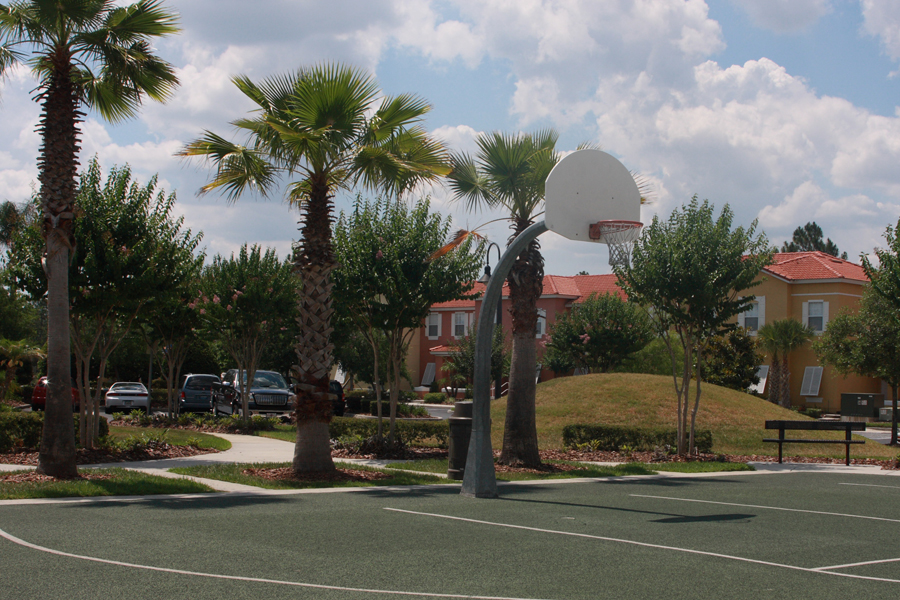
<point>479,478</point>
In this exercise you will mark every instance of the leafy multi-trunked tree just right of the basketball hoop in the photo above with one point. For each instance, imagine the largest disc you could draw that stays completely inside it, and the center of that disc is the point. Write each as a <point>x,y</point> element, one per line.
<point>691,272</point>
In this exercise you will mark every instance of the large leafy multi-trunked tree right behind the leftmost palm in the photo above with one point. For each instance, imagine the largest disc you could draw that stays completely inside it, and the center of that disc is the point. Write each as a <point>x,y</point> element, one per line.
<point>130,254</point>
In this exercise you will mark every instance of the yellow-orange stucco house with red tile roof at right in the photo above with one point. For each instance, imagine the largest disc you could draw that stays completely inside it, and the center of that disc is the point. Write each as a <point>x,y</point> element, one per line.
<point>810,287</point>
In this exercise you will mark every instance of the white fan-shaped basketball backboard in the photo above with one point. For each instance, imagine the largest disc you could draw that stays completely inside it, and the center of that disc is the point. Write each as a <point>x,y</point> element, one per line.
<point>589,186</point>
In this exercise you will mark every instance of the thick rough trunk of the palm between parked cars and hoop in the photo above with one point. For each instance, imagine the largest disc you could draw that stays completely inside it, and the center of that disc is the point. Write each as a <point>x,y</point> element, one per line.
<point>313,262</point>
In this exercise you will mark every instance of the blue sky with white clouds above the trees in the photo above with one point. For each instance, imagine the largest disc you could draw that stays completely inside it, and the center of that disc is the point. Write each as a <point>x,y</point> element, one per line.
<point>784,109</point>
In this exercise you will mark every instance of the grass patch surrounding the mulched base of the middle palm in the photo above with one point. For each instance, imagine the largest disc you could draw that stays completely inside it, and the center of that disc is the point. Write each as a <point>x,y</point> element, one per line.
<point>234,473</point>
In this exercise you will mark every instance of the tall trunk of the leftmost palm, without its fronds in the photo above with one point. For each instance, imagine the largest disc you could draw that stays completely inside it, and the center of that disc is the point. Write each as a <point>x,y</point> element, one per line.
<point>58,166</point>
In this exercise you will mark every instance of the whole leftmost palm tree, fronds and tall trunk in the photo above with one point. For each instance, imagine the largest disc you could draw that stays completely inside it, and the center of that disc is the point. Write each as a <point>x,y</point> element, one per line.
<point>85,53</point>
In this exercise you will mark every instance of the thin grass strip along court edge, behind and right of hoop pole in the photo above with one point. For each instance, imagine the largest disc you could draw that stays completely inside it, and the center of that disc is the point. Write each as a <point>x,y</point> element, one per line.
<point>438,465</point>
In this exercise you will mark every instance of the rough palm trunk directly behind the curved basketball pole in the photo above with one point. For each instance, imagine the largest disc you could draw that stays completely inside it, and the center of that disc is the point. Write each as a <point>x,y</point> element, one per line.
<point>526,277</point>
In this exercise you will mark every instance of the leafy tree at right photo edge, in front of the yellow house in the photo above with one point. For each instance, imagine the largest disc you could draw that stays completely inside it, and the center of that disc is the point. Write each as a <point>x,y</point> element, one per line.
<point>866,343</point>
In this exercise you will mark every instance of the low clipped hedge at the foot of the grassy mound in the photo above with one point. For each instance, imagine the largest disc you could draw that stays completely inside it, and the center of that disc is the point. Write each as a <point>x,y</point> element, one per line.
<point>611,438</point>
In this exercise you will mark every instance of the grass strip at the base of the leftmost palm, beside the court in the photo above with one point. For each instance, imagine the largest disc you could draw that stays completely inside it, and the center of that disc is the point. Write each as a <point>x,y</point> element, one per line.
<point>123,483</point>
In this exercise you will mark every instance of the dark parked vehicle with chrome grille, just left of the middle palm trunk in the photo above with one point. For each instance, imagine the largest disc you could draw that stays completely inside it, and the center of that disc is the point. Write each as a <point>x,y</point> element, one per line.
<point>269,394</point>
